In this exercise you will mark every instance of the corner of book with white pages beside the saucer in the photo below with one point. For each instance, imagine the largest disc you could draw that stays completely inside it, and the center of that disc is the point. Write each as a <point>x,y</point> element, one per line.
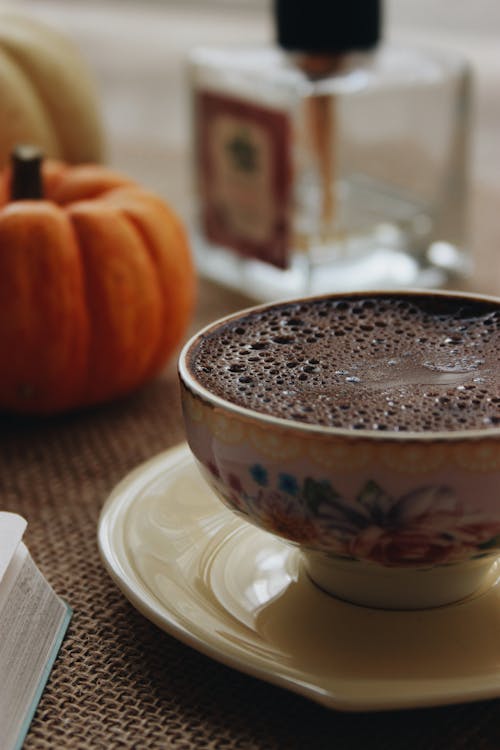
<point>33,621</point>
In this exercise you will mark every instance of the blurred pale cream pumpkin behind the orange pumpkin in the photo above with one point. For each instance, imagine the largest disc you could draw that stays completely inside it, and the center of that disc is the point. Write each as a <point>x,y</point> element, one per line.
<point>47,95</point>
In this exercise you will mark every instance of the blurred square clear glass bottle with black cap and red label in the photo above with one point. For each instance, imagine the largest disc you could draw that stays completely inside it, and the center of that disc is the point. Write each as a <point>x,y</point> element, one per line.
<point>330,161</point>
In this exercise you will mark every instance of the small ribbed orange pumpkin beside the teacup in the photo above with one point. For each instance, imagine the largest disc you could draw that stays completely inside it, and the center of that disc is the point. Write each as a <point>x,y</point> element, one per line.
<point>97,287</point>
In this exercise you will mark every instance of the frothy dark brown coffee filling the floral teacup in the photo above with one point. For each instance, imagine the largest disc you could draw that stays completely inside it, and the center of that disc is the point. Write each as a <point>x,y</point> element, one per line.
<point>385,362</point>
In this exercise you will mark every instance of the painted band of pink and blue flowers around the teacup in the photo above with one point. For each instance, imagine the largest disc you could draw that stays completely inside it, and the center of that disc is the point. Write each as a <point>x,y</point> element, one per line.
<point>424,527</point>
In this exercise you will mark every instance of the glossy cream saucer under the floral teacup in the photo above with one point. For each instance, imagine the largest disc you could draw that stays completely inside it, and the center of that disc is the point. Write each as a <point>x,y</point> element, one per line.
<point>240,596</point>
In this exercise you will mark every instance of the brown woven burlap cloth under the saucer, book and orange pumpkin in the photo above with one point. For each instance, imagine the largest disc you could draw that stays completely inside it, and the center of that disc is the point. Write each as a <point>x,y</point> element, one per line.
<point>120,682</point>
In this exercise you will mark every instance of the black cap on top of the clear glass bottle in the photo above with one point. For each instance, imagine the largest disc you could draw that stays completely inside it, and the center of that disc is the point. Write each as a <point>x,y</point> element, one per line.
<point>325,26</point>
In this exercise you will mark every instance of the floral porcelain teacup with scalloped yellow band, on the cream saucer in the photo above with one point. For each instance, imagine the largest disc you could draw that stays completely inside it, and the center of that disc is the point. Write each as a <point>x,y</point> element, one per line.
<point>395,519</point>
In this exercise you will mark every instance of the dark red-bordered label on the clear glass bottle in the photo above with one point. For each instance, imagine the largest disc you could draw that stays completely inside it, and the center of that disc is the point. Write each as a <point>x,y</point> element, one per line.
<point>244,169</point>
